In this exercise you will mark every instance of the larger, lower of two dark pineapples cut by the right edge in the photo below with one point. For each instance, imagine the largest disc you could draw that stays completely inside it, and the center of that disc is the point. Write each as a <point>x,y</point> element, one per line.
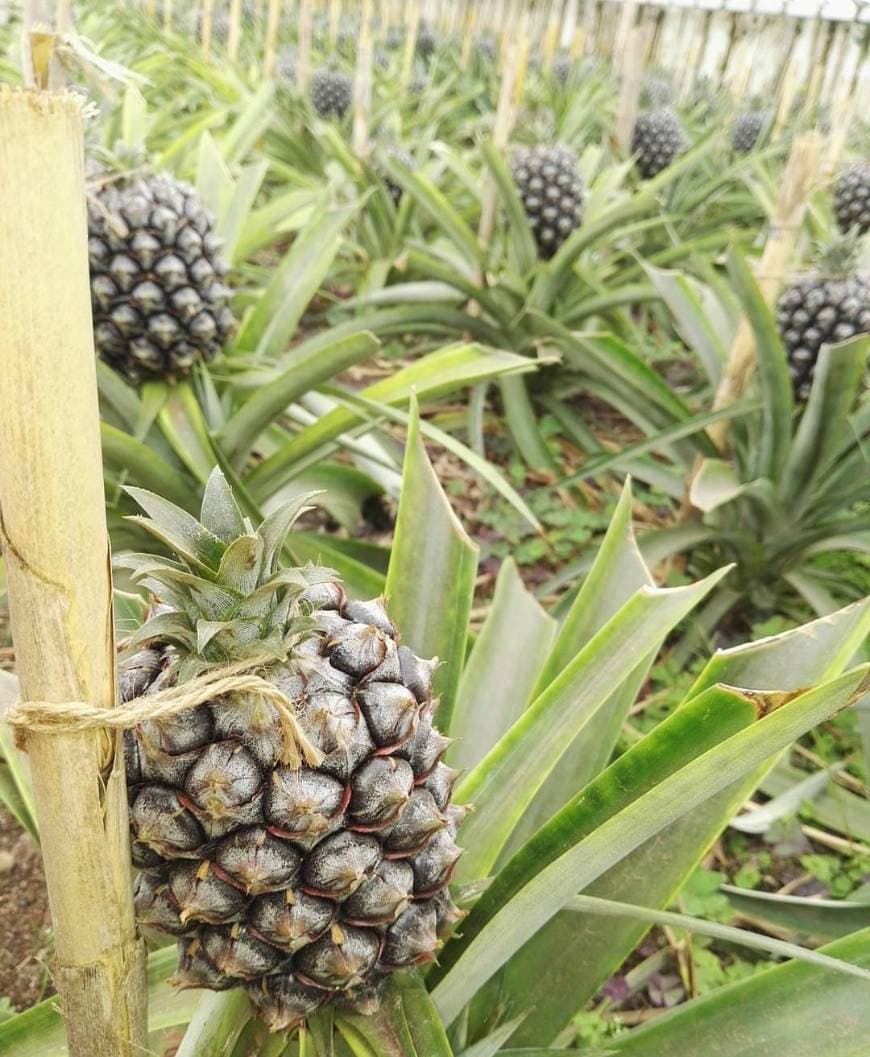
<point>828,305</point>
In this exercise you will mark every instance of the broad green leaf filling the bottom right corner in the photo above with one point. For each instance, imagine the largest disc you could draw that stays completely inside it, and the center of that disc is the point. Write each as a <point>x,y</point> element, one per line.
<point>806,1011</point>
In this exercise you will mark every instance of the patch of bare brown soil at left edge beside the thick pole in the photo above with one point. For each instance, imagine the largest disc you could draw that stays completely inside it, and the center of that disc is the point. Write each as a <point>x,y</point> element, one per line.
<point>24,918</point>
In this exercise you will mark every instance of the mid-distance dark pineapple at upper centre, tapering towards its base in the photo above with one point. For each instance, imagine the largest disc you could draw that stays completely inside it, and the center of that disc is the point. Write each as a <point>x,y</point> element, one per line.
<point>552,193</point>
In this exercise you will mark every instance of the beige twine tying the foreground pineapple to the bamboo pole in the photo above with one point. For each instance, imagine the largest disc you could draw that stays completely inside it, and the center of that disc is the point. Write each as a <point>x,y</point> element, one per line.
<point>76,717</point>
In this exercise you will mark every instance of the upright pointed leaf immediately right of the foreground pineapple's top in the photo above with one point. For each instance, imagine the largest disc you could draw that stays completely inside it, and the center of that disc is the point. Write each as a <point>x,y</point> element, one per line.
<point>431,582</point>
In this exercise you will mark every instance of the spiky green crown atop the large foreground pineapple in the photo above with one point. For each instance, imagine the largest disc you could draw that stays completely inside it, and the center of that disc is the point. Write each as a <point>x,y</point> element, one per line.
<point>224,597</point>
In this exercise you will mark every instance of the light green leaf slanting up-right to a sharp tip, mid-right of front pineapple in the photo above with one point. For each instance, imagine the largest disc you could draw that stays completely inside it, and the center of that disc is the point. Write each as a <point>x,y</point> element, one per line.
<point>506,782</point>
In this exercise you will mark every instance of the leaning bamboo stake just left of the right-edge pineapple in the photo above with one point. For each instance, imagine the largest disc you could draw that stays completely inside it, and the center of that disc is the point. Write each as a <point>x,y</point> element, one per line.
<point>798,181</point>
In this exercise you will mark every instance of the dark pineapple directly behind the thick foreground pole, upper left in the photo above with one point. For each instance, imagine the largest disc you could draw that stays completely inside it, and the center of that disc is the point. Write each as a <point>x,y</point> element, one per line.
<point>158,292</point>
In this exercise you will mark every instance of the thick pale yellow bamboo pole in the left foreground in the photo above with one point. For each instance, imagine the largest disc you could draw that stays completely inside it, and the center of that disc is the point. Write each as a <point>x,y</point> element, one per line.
<point>55,542</point>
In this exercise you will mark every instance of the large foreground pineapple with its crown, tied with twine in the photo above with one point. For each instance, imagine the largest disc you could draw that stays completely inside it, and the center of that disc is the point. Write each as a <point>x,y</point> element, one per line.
<point>308,885</point>
